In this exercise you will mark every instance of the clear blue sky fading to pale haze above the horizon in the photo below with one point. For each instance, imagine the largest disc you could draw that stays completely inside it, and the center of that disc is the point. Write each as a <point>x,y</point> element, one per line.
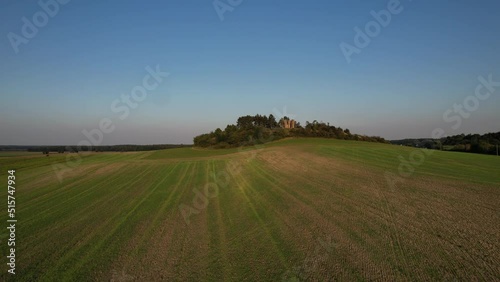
<point>229,58</point>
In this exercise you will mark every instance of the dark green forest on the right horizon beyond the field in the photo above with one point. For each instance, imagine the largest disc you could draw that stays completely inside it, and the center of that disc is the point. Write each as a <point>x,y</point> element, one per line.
<point>472,143</point>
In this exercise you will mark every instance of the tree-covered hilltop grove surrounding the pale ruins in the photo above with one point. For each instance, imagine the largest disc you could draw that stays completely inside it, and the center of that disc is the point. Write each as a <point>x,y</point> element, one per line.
<point>259,129</point>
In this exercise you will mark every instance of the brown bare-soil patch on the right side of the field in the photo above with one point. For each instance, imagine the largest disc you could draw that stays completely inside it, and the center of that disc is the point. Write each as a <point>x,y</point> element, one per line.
<point>426,228</point>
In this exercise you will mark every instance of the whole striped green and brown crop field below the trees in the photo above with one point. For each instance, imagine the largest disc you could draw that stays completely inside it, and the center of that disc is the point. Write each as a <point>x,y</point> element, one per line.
<point>296,209</point>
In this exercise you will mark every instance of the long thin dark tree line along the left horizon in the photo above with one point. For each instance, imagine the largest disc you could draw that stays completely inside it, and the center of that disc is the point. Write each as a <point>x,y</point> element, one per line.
<point>75,149</point>
